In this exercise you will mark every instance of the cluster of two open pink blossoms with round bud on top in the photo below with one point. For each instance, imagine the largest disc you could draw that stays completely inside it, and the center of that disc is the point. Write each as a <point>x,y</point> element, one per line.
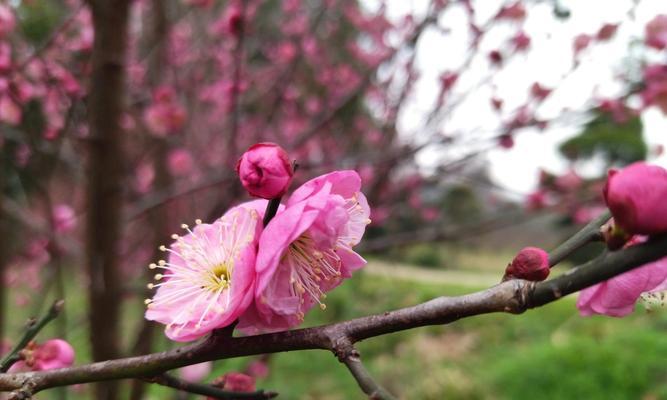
<point>268,277</point>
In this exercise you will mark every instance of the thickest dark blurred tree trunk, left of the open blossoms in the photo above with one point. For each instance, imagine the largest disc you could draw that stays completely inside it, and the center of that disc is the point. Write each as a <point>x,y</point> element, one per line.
<point>105,180</point>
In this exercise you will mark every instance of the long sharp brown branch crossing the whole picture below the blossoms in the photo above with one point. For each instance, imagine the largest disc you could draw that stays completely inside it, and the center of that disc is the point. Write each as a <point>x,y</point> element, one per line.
<point>515,296</point>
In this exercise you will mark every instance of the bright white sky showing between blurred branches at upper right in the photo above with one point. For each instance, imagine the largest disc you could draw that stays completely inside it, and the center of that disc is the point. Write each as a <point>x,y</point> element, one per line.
<point>547,62</point>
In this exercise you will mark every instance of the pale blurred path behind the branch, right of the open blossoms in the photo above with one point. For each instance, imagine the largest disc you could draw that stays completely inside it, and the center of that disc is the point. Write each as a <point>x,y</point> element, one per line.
<point>477,279</point>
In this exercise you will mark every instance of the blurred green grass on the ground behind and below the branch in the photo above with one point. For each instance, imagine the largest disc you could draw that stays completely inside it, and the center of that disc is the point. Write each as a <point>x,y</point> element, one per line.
<point>548,353</point>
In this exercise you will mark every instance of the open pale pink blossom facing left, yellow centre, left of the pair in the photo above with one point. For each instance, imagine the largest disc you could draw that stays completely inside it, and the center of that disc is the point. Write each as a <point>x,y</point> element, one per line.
<point>208,280</point>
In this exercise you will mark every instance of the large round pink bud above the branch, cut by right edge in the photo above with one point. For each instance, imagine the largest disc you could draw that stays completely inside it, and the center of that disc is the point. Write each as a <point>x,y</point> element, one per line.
<point>636,197</point>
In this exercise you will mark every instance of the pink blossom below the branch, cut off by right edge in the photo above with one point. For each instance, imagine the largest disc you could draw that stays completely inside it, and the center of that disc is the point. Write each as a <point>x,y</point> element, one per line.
<point>617,296</point>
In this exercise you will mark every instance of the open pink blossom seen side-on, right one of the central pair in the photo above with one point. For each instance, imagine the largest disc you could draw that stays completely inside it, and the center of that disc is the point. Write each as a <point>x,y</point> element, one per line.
<point>306,250</point>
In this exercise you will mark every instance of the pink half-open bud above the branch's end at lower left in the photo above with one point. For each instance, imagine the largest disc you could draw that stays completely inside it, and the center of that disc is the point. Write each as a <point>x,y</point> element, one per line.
<point>52,354</point>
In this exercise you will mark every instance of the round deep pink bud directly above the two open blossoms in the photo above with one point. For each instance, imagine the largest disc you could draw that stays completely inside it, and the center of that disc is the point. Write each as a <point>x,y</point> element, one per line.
<point>265,170</point>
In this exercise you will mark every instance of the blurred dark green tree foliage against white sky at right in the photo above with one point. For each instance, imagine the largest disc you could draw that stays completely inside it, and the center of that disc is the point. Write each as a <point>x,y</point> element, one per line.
<point>617,144</point>
